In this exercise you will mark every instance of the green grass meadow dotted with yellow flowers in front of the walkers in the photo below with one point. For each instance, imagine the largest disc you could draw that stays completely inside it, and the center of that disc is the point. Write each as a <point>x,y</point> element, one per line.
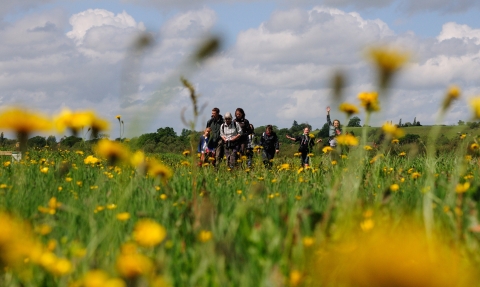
<point>74,221</point>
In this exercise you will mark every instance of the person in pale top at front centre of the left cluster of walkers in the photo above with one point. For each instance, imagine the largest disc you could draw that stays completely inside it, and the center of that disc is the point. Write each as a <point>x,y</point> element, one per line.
<point>230,132</point>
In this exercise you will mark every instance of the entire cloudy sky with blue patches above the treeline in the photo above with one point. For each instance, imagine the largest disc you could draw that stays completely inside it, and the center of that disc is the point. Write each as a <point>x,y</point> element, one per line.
<point>276,61</point>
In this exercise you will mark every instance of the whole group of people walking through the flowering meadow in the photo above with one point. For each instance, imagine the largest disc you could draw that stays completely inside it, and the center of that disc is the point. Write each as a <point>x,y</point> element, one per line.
<point>231,137</point>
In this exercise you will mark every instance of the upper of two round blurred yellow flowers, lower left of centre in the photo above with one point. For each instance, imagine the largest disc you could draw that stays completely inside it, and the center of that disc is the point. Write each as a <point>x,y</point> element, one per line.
<point>148,233</point>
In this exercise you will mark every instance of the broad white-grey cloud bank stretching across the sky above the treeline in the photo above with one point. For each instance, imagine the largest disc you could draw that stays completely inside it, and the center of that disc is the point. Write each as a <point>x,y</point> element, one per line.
<point>278,71</point>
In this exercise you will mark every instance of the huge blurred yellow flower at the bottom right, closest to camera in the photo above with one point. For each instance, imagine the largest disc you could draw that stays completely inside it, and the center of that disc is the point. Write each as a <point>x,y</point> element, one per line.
<point>379,258</point>
